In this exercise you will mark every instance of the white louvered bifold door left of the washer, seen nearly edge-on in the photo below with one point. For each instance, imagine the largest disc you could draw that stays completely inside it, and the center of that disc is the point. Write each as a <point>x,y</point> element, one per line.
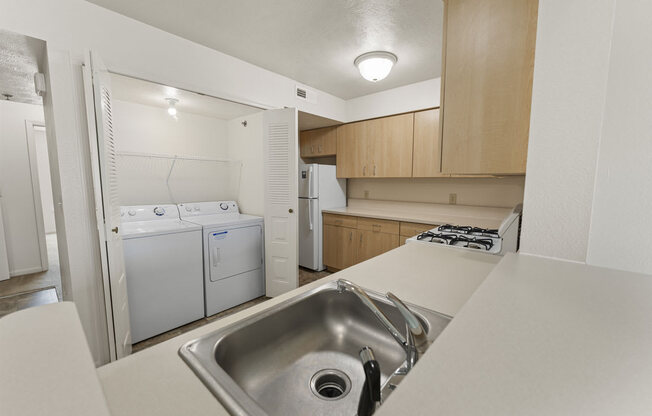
<point>103,158</point>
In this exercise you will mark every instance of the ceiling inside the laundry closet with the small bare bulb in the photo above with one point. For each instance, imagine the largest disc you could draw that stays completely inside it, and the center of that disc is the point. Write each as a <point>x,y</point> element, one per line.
<point>153,94</point>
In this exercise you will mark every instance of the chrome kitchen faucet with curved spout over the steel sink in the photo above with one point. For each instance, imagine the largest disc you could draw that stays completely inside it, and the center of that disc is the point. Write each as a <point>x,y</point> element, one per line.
<point>414,343</point>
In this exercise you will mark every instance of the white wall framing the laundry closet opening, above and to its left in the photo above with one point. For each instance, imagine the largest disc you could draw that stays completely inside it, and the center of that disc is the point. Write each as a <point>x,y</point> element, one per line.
<point>130,48</point>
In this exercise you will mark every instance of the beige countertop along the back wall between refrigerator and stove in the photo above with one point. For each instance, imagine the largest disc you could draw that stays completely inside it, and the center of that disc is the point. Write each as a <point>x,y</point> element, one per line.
<point>485,217</point>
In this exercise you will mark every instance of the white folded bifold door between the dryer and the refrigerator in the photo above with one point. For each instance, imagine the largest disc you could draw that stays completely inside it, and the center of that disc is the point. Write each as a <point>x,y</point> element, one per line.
<point>281,200</point>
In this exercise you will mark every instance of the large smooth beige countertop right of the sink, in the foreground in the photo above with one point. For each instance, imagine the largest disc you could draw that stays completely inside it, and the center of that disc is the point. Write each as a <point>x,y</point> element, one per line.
<point>540,337</point>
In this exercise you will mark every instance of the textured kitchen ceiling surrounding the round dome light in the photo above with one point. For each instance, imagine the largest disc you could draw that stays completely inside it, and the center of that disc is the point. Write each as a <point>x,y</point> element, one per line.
<point>311,41</point>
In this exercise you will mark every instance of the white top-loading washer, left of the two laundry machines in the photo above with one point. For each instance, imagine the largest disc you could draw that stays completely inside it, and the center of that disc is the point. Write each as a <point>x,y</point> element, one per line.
<point>163,264</point>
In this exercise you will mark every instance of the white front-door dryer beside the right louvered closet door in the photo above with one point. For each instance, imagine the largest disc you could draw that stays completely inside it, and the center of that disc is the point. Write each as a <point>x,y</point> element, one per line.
<point>233,253</point>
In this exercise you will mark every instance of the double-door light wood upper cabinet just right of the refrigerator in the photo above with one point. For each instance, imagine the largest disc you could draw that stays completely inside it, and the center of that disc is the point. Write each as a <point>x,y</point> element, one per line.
<point>379,148</point>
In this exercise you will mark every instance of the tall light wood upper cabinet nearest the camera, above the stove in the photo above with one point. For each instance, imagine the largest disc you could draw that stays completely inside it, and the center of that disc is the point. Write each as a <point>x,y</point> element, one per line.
<point>487,85</point>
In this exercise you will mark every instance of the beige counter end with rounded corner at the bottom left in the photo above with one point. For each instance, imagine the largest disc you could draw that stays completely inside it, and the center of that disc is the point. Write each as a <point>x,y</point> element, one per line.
<point>46,367</point>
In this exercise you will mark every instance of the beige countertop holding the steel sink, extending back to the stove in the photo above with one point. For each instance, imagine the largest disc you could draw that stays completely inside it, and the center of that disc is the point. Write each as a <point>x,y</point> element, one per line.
<point>156,381</point>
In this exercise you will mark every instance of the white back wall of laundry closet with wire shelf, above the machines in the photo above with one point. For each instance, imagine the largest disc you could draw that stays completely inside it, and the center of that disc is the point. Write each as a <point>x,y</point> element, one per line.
<point>151,130</point>
